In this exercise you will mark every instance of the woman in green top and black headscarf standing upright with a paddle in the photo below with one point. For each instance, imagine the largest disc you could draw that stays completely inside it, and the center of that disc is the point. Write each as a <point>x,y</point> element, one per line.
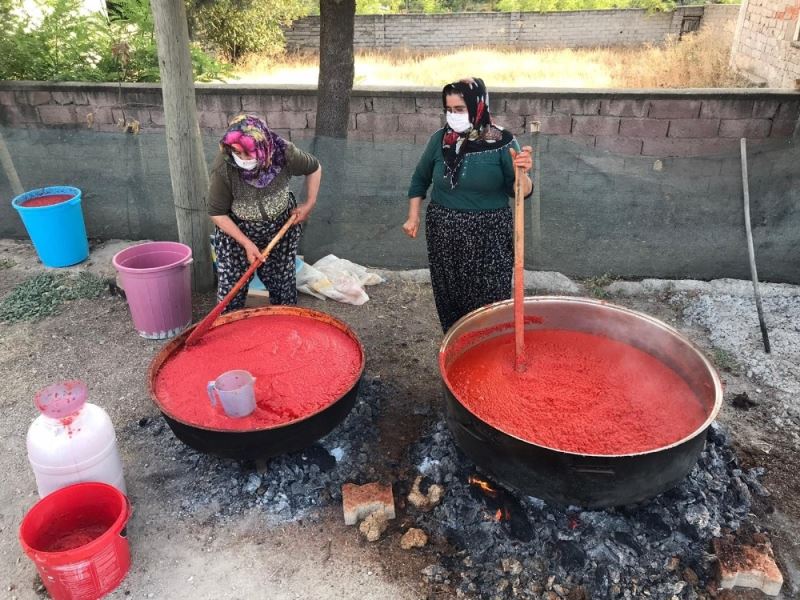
<point>468,223</point>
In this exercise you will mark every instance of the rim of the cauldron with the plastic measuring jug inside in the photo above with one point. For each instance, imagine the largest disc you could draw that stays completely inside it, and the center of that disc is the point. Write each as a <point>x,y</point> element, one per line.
<point>175,344</point>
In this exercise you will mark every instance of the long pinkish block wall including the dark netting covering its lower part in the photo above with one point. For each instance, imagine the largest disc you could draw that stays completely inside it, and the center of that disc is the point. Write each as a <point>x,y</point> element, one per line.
<point>639,184</point>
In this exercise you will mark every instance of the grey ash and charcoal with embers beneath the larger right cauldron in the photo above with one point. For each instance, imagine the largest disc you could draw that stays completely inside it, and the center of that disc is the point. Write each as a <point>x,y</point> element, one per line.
<point>509,546</point>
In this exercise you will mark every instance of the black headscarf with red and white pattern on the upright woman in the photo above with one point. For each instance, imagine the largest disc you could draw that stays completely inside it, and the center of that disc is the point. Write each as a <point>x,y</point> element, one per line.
<point>482,135</point>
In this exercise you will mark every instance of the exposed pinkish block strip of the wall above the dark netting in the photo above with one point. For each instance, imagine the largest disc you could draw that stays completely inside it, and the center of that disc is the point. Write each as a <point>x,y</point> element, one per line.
<point>649,122</point>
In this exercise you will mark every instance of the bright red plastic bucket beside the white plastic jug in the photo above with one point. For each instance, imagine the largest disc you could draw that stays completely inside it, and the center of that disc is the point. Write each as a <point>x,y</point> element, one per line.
<point>74,536</point>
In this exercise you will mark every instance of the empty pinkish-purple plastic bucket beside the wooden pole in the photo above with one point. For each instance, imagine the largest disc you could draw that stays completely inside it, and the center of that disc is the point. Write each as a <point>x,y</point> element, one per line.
<point>158,285</point>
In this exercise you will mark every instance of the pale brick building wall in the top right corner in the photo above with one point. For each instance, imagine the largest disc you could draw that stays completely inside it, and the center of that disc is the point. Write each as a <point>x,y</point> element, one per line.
<point>765,45</point>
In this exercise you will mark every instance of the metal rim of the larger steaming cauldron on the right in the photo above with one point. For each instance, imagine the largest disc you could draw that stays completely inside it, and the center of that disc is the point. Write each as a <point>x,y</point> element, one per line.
<point>451,336</point>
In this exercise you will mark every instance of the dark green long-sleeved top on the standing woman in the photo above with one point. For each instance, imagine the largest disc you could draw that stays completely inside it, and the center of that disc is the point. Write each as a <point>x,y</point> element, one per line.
<point>486,180</point>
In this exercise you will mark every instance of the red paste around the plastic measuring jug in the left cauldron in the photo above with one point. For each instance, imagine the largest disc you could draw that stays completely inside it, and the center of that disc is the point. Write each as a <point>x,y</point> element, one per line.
<point>301,365</point>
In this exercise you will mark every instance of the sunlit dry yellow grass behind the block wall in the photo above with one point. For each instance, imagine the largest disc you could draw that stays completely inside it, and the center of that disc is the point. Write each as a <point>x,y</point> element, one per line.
<point>699,60</point>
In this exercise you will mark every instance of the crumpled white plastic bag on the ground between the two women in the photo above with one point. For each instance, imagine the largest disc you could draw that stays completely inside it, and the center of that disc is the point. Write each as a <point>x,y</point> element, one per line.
<point>337,279</point>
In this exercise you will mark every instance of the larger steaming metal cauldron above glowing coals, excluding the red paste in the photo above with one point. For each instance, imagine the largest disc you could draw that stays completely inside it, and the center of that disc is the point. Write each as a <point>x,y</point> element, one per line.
<point>563,477</point>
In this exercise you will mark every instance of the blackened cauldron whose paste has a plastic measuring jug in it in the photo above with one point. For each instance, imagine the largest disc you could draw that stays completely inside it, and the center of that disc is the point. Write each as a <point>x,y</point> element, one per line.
<point>266,442</point>
